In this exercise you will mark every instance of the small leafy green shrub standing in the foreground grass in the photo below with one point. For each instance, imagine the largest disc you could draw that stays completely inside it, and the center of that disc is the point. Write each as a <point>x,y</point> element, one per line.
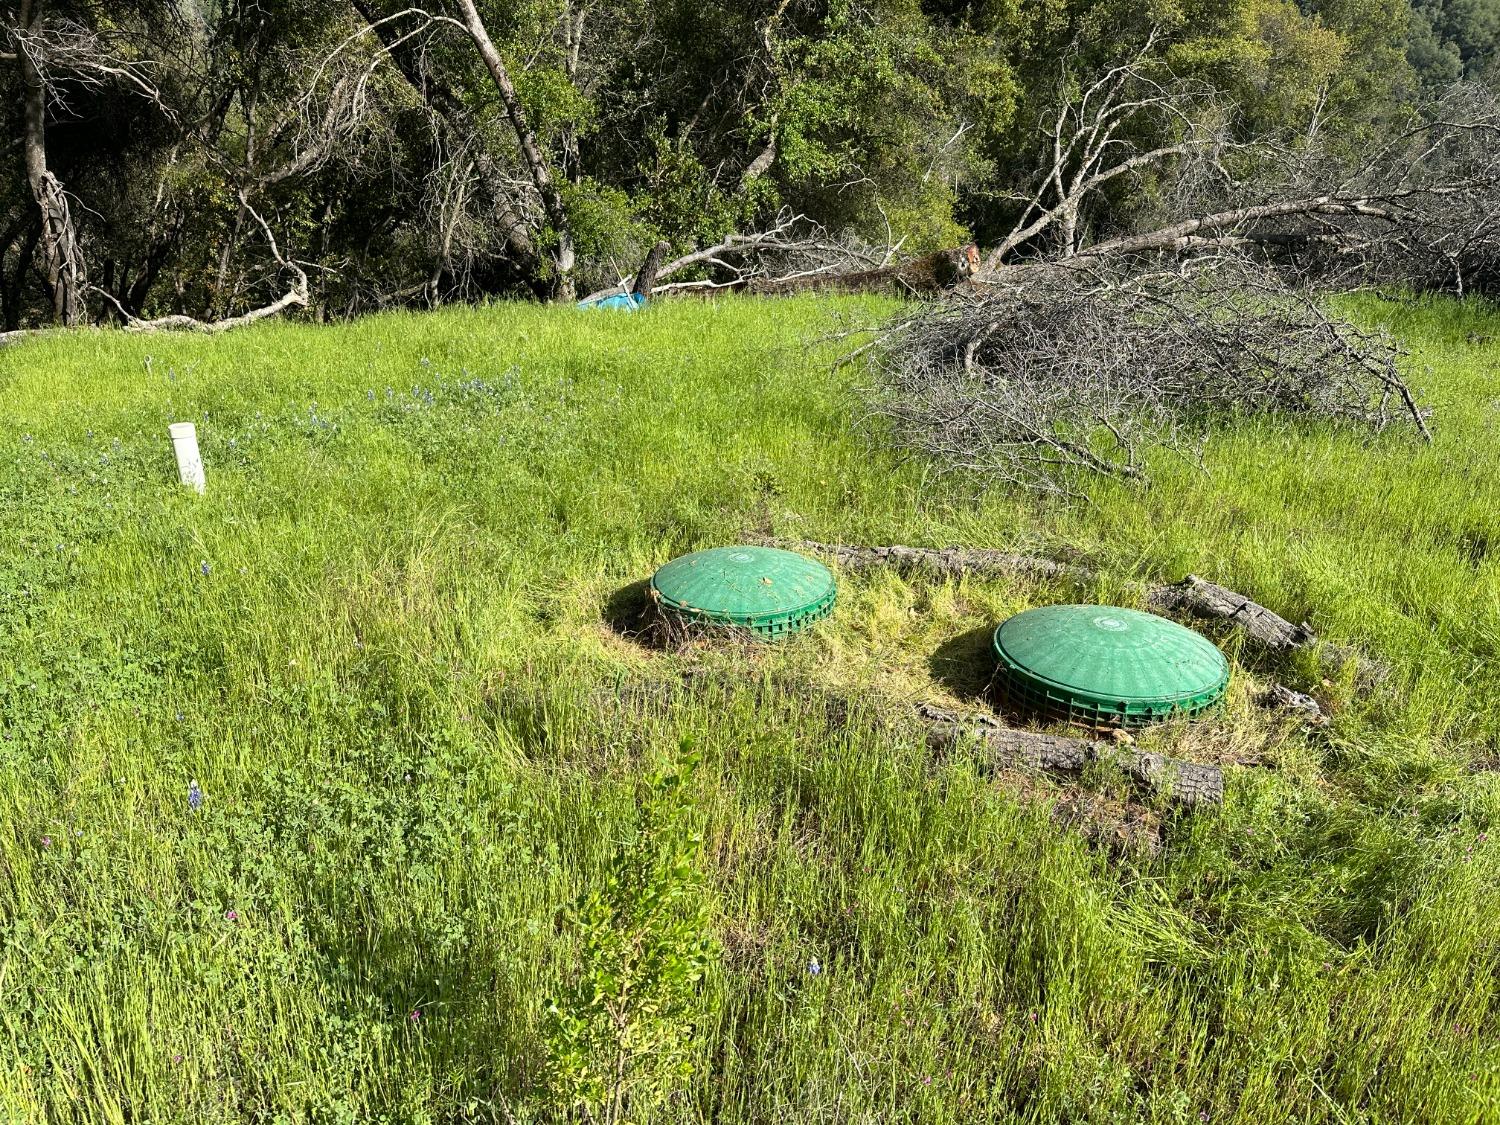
<point>620,1037</point>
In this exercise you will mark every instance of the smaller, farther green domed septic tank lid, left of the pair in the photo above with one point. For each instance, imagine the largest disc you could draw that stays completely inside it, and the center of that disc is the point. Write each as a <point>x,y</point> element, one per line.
<point>769,592</point>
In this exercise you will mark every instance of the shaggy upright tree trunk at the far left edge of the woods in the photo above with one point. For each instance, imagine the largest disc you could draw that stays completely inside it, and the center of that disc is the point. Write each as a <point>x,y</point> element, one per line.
<point>65,274</point>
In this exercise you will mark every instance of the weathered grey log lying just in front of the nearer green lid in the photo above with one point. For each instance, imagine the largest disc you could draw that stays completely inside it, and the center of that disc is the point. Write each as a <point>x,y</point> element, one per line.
<point>1180,782</point>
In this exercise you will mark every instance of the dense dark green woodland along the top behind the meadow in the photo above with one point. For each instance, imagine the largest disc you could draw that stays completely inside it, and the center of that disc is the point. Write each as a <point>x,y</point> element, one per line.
<point>209,157</point>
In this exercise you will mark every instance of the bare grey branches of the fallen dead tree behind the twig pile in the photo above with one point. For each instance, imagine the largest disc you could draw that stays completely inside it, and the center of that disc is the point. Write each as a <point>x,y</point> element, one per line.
<point>1423,208</point>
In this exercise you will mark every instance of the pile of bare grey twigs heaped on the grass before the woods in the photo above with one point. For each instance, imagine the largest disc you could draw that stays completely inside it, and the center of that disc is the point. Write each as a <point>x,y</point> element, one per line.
<point>1069,370</point>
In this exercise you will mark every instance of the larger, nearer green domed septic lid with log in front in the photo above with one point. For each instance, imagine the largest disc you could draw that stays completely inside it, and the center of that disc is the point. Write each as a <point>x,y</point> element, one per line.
<point>1106,667</point>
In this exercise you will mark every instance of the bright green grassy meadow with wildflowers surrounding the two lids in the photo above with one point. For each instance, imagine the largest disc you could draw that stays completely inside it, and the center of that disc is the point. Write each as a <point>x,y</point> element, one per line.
<point>448,796</point>
